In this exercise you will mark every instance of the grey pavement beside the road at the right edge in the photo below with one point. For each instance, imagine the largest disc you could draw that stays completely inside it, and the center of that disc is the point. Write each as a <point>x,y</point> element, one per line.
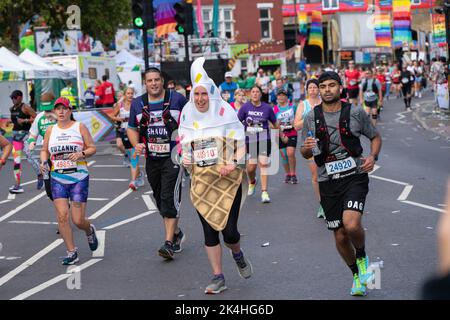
<point>438,123</point>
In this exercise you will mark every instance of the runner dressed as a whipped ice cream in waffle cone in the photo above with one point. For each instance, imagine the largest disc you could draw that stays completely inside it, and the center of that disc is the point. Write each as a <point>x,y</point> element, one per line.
<point>213,145</point>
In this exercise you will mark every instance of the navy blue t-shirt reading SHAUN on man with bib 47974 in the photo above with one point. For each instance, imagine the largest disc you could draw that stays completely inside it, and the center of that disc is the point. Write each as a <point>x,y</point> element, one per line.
<point>158,142</point>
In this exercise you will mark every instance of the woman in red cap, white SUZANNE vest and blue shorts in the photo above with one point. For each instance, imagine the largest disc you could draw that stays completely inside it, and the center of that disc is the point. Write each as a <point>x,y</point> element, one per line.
<point>68,143</point>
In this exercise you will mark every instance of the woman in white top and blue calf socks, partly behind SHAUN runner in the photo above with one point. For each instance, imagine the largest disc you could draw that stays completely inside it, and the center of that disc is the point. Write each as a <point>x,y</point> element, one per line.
<point>121,113</point>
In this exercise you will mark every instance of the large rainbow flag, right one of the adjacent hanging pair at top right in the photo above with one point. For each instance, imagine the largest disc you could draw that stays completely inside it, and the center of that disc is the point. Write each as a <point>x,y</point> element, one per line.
<point>401,11</point>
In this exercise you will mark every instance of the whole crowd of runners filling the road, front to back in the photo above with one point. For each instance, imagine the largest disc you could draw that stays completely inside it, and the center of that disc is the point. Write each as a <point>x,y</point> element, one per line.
<point>220,136</point>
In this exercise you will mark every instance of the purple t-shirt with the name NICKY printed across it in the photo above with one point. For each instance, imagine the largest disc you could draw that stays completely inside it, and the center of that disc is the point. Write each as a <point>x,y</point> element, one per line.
<point>256,120</point>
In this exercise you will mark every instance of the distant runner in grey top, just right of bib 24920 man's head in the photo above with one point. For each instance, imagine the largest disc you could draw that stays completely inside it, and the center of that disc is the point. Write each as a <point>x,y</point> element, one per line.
<point>371,95</point>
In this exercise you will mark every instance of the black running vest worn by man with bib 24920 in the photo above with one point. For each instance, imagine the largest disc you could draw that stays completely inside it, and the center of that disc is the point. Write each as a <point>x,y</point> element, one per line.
<point>351,144</point>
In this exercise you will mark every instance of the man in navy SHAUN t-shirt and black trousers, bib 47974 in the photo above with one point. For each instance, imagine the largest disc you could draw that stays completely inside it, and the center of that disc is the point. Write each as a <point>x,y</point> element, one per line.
<point>154,117</point>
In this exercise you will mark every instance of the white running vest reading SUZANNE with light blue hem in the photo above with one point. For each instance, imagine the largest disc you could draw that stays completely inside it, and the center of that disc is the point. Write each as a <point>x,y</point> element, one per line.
<point>63,142</point>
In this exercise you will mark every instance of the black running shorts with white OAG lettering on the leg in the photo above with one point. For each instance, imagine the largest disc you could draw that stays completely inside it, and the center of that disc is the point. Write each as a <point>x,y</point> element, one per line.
<point>348,193</point>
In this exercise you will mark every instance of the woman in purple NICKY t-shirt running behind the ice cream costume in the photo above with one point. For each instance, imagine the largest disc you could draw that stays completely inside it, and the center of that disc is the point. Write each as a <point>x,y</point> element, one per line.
<point>256,116</point>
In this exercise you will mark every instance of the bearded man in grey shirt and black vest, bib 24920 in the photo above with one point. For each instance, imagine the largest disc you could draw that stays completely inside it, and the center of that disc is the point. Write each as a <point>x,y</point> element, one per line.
<point>343,171</point>
